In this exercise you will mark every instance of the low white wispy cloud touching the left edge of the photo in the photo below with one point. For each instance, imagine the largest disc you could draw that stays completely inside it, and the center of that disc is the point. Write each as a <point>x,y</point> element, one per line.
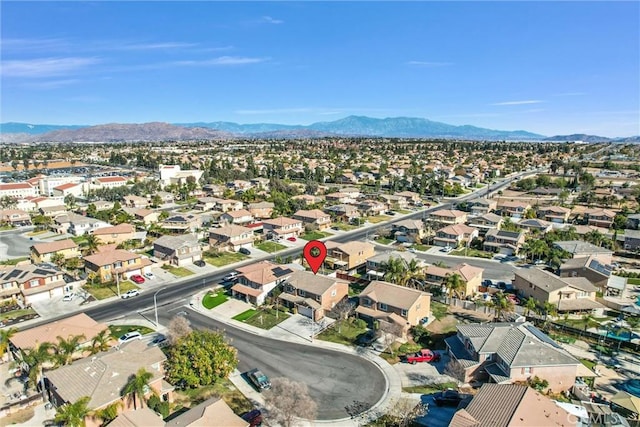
<point>45,67</point>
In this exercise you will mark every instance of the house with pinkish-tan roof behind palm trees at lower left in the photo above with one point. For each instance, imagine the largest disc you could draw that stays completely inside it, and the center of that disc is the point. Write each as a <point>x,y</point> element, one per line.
<point>73,326</point>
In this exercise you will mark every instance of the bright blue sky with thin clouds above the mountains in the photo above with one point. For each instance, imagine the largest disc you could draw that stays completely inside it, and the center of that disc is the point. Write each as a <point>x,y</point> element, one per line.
<point>546,67</point>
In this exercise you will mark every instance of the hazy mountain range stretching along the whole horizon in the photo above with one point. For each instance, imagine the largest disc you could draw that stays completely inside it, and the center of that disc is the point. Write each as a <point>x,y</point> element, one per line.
<point>396,127</point>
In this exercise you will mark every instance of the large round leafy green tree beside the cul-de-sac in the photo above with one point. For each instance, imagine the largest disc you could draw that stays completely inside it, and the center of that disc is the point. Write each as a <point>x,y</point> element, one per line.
<point>200,358</point>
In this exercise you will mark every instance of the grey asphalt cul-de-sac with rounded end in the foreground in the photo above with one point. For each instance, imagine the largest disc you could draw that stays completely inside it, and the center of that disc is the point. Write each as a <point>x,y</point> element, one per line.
<point>334,379</point>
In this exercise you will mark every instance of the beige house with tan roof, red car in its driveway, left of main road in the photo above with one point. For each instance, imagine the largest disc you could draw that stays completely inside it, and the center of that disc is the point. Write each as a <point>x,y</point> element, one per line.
<point>116,264</point>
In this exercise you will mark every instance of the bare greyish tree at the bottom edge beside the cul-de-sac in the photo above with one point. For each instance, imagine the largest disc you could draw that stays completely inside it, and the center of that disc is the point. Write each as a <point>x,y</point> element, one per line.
<point>287,401</point>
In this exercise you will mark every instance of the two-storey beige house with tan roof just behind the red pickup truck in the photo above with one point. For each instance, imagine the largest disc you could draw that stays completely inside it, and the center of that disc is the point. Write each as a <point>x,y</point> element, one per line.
<point>391,304</point>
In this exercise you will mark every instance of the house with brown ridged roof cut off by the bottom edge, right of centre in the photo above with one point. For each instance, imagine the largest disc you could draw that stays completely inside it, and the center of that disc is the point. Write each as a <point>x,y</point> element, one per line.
<point>503,405</point>
